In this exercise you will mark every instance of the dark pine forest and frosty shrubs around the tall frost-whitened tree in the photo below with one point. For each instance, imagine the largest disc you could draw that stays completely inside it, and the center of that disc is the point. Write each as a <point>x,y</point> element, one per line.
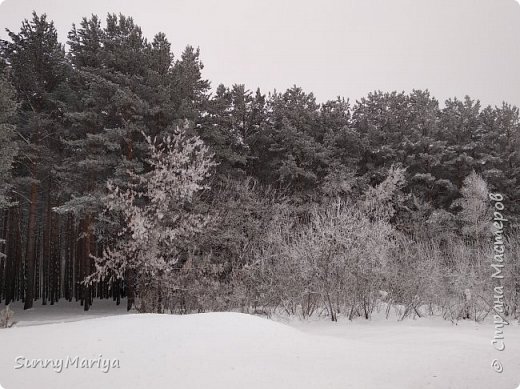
<point>73,117</point>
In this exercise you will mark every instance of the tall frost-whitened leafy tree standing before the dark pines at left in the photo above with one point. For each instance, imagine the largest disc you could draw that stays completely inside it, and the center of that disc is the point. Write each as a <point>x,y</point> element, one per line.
<point>158,220</point>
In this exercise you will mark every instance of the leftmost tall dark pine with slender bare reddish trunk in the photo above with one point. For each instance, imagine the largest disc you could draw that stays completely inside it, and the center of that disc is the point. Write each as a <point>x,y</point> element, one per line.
<point>38,70</point>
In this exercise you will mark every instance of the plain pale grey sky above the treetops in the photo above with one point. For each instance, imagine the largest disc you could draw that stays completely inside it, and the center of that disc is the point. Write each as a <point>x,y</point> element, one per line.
<point>329,47</point>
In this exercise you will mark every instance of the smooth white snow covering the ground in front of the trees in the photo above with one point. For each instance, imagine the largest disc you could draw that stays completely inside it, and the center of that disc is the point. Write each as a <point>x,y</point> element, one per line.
<point>232,350</point>
